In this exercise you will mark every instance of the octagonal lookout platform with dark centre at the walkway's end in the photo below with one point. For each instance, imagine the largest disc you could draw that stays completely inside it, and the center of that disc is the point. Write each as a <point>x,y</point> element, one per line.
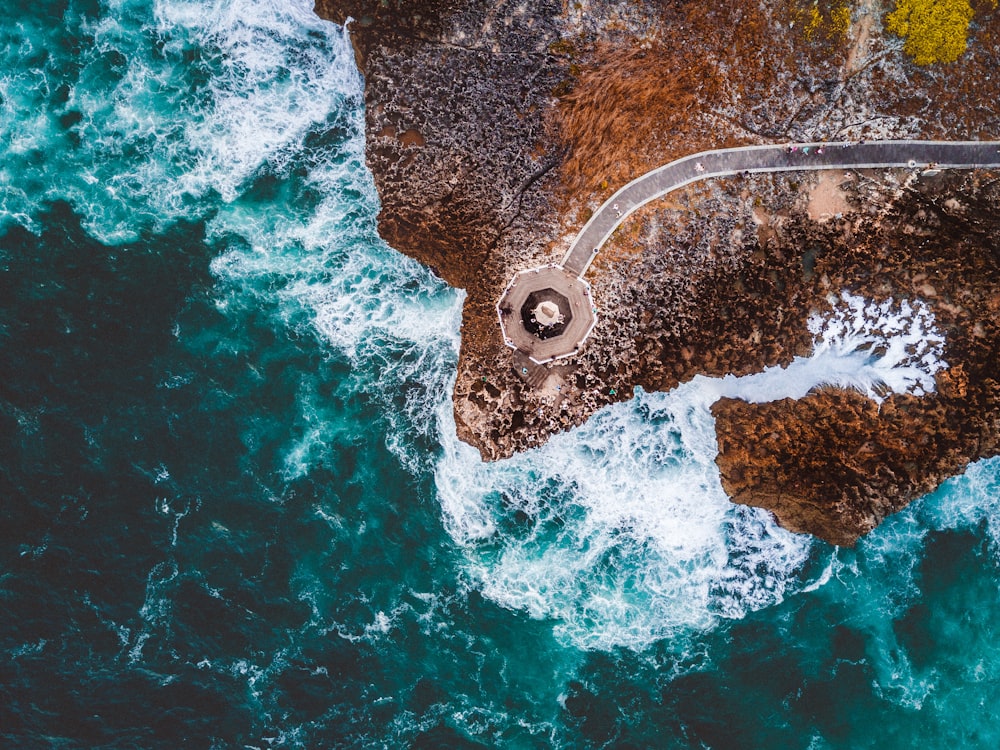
<point>546,313</point>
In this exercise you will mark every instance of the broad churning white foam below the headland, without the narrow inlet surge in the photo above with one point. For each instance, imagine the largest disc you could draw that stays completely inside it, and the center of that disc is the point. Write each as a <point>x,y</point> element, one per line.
<point>625,535</point>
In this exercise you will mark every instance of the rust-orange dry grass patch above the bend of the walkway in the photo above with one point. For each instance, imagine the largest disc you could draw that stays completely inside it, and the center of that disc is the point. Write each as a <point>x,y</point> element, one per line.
<point>719,74</point>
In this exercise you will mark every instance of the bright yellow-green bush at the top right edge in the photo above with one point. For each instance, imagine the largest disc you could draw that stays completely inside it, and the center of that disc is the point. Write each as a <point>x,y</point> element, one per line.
<point>935,30</point>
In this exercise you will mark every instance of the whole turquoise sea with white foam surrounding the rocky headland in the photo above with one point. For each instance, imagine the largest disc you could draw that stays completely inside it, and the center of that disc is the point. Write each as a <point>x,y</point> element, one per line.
<point>234,512</point>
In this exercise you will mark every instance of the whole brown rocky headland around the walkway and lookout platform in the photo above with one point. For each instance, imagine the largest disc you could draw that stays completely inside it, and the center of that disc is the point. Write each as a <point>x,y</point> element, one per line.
<point>495,129</point>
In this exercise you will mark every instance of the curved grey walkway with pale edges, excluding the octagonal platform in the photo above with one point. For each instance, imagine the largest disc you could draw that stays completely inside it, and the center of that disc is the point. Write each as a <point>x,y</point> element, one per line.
<point>761,159</point>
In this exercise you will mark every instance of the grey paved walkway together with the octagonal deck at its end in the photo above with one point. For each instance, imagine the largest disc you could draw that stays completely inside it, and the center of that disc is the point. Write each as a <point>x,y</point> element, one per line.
<point>567,278</point>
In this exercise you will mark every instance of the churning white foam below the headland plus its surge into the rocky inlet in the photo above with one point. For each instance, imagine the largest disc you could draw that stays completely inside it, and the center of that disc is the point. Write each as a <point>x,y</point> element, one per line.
<point>620,530</point>
